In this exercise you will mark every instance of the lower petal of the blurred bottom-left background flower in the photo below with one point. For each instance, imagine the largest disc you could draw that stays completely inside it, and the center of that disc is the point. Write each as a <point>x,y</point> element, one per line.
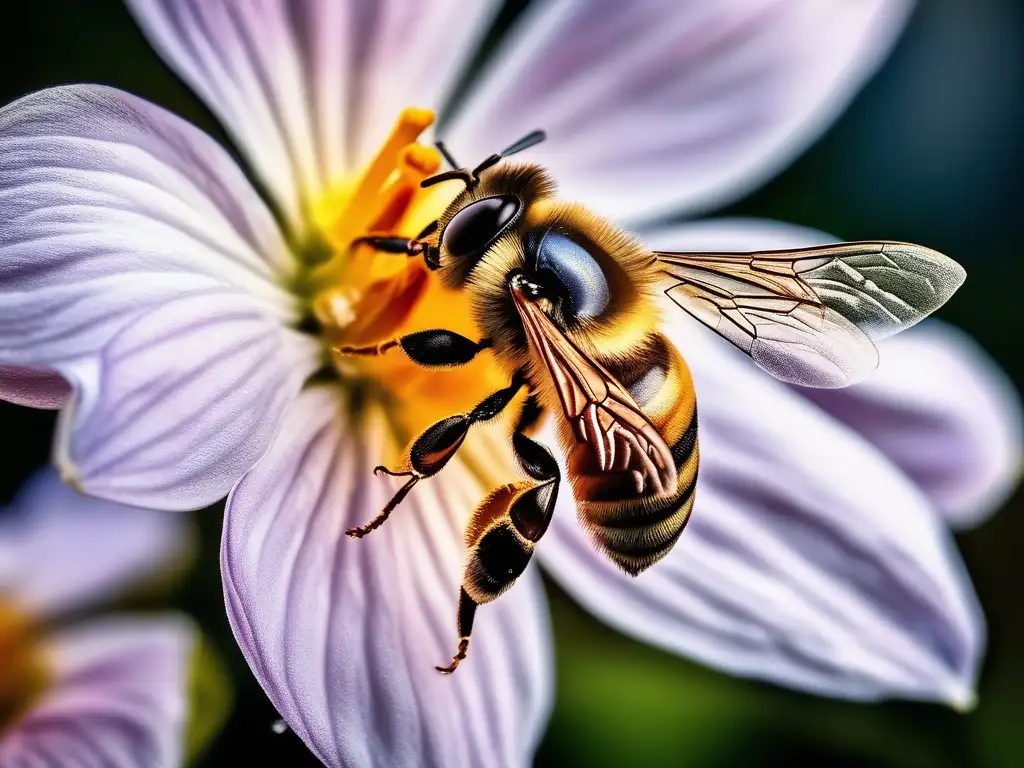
<point>119,699</point>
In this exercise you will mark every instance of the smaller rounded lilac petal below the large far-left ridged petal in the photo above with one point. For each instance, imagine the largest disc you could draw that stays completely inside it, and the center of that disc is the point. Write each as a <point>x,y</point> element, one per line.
<point>183,403</point>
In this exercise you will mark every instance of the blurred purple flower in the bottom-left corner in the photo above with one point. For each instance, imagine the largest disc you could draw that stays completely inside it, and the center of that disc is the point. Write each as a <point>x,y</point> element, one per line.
<point>101,692</point>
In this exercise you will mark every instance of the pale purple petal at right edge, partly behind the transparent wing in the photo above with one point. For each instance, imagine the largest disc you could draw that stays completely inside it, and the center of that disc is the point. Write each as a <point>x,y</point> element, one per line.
<point>938,406</point>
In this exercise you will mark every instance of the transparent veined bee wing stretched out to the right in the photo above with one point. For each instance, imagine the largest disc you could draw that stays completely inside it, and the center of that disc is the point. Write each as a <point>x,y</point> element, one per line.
<point>810,317</point>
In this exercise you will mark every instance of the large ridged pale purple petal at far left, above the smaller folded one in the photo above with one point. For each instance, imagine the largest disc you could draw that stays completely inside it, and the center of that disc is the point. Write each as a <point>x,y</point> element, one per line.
<point>112,206</point>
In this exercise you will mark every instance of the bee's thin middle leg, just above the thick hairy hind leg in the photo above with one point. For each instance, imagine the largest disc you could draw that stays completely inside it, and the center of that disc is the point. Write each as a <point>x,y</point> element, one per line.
<point>436,447</point>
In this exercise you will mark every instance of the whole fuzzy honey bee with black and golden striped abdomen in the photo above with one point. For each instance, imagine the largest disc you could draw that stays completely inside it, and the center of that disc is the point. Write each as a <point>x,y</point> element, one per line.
<point>569,305</point>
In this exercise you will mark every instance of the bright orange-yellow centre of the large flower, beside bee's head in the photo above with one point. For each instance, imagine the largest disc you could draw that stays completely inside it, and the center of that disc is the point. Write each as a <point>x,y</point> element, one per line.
<point>365,296</point>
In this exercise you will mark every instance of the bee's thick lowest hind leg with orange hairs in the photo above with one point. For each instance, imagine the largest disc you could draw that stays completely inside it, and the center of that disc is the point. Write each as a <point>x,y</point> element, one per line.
<point>503,534</point>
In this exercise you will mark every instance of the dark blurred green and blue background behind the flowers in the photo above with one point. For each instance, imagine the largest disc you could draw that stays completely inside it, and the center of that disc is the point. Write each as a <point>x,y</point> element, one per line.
<point>931,152</point>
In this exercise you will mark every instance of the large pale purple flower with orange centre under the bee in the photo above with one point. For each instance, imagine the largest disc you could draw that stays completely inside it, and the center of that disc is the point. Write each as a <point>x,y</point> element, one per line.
<point>140,266</point>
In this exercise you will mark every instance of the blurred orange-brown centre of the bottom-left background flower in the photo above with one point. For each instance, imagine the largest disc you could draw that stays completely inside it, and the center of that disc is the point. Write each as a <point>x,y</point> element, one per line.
<point>24,672</point>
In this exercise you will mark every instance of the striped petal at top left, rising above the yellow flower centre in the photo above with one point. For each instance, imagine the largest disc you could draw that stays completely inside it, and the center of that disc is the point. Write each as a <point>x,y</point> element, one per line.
<point>296,81</point>
